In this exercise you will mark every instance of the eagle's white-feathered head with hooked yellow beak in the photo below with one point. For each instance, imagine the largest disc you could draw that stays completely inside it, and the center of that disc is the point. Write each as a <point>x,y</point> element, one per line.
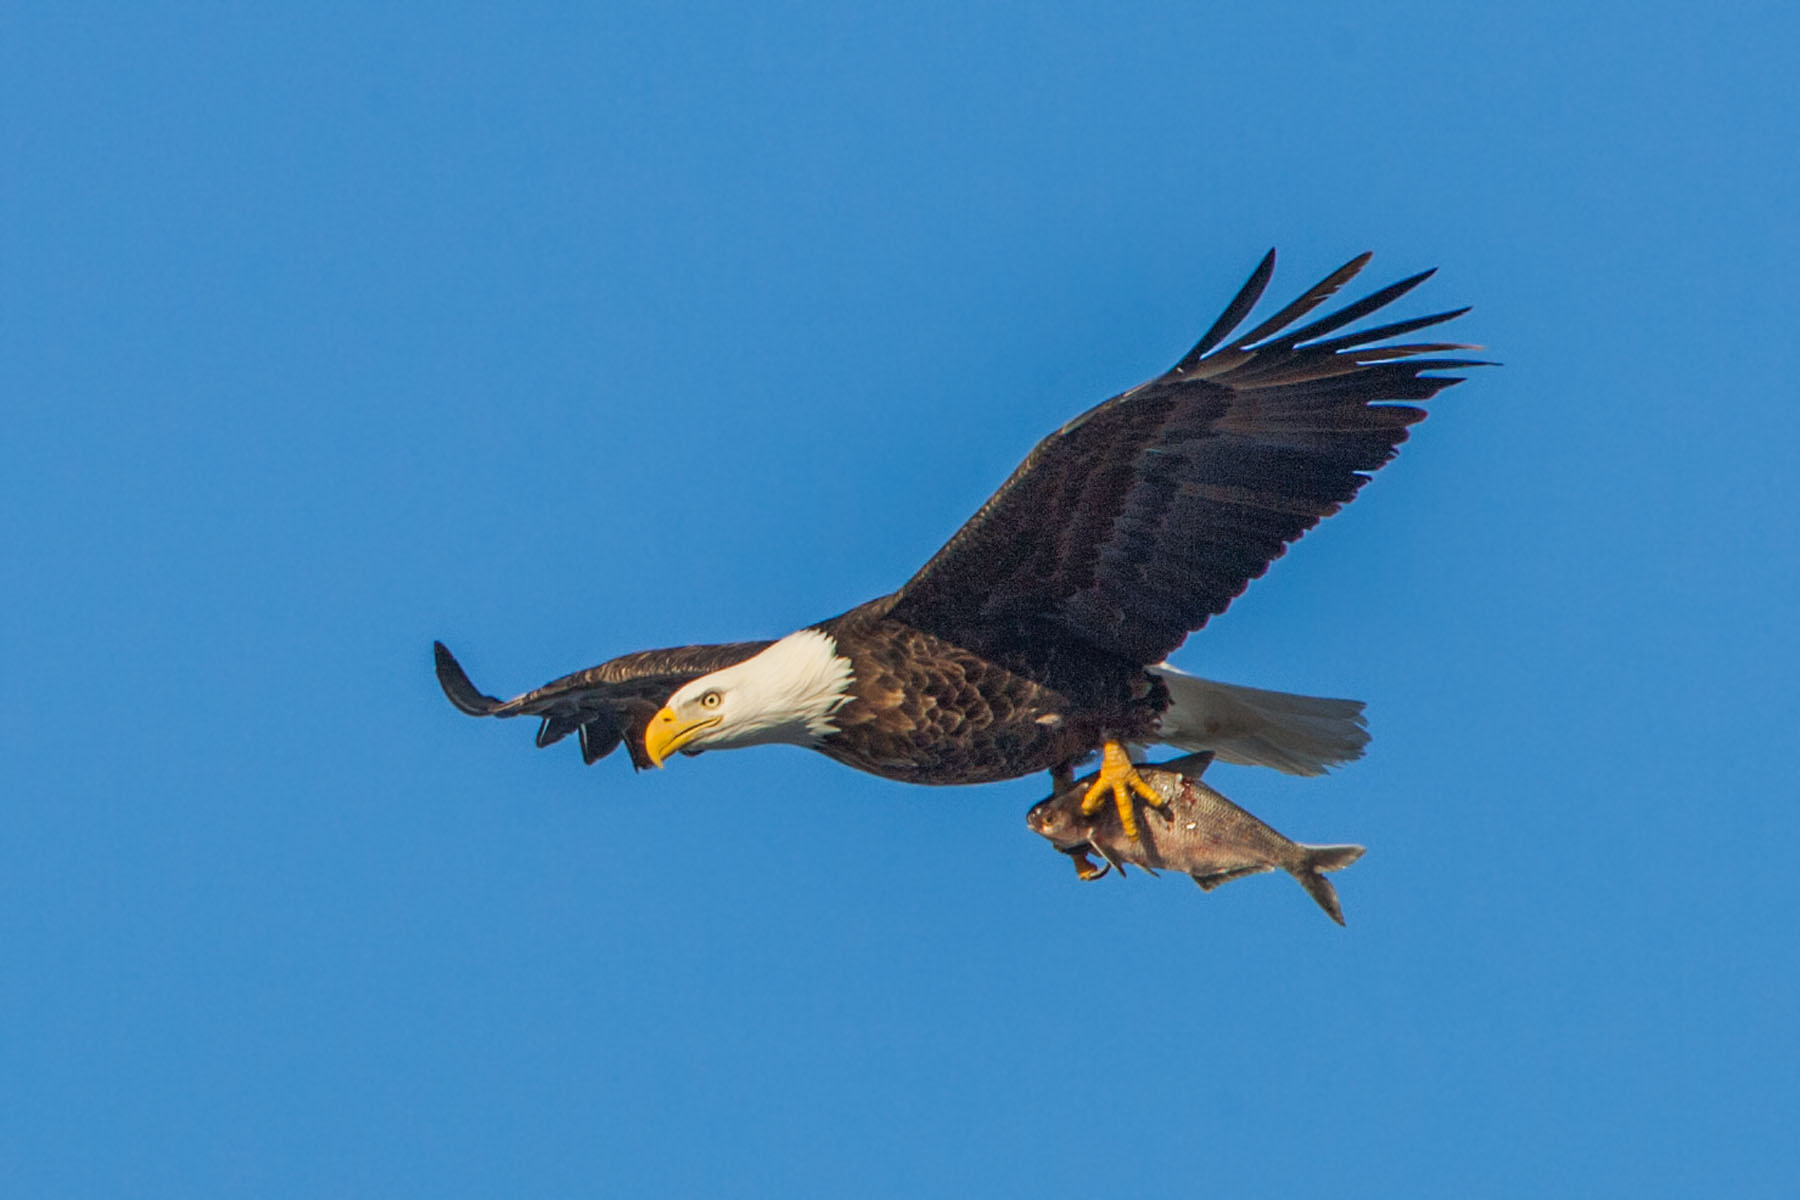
<point>786,694</point>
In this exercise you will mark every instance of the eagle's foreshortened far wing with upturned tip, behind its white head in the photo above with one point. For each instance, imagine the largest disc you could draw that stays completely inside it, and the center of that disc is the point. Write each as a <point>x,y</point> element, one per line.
<point>607,704</point>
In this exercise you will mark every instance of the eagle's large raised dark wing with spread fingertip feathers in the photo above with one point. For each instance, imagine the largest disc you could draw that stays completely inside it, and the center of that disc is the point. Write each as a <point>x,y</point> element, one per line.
<point>1147,515</point>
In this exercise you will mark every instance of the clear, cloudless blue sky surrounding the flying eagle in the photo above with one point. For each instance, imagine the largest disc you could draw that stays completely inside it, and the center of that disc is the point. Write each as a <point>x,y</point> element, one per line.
<point>559,332</point>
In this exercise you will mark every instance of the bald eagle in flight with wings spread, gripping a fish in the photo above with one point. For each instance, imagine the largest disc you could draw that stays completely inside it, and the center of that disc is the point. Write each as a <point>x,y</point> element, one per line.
<point>1039,634</point>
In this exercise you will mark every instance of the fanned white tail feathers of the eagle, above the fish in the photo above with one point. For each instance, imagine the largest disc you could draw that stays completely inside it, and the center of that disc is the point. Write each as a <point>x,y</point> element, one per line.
<point>1255,728</point>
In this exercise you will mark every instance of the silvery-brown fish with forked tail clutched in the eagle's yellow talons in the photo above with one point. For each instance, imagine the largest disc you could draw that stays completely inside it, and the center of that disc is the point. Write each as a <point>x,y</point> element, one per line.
<point>1194,830</point>
